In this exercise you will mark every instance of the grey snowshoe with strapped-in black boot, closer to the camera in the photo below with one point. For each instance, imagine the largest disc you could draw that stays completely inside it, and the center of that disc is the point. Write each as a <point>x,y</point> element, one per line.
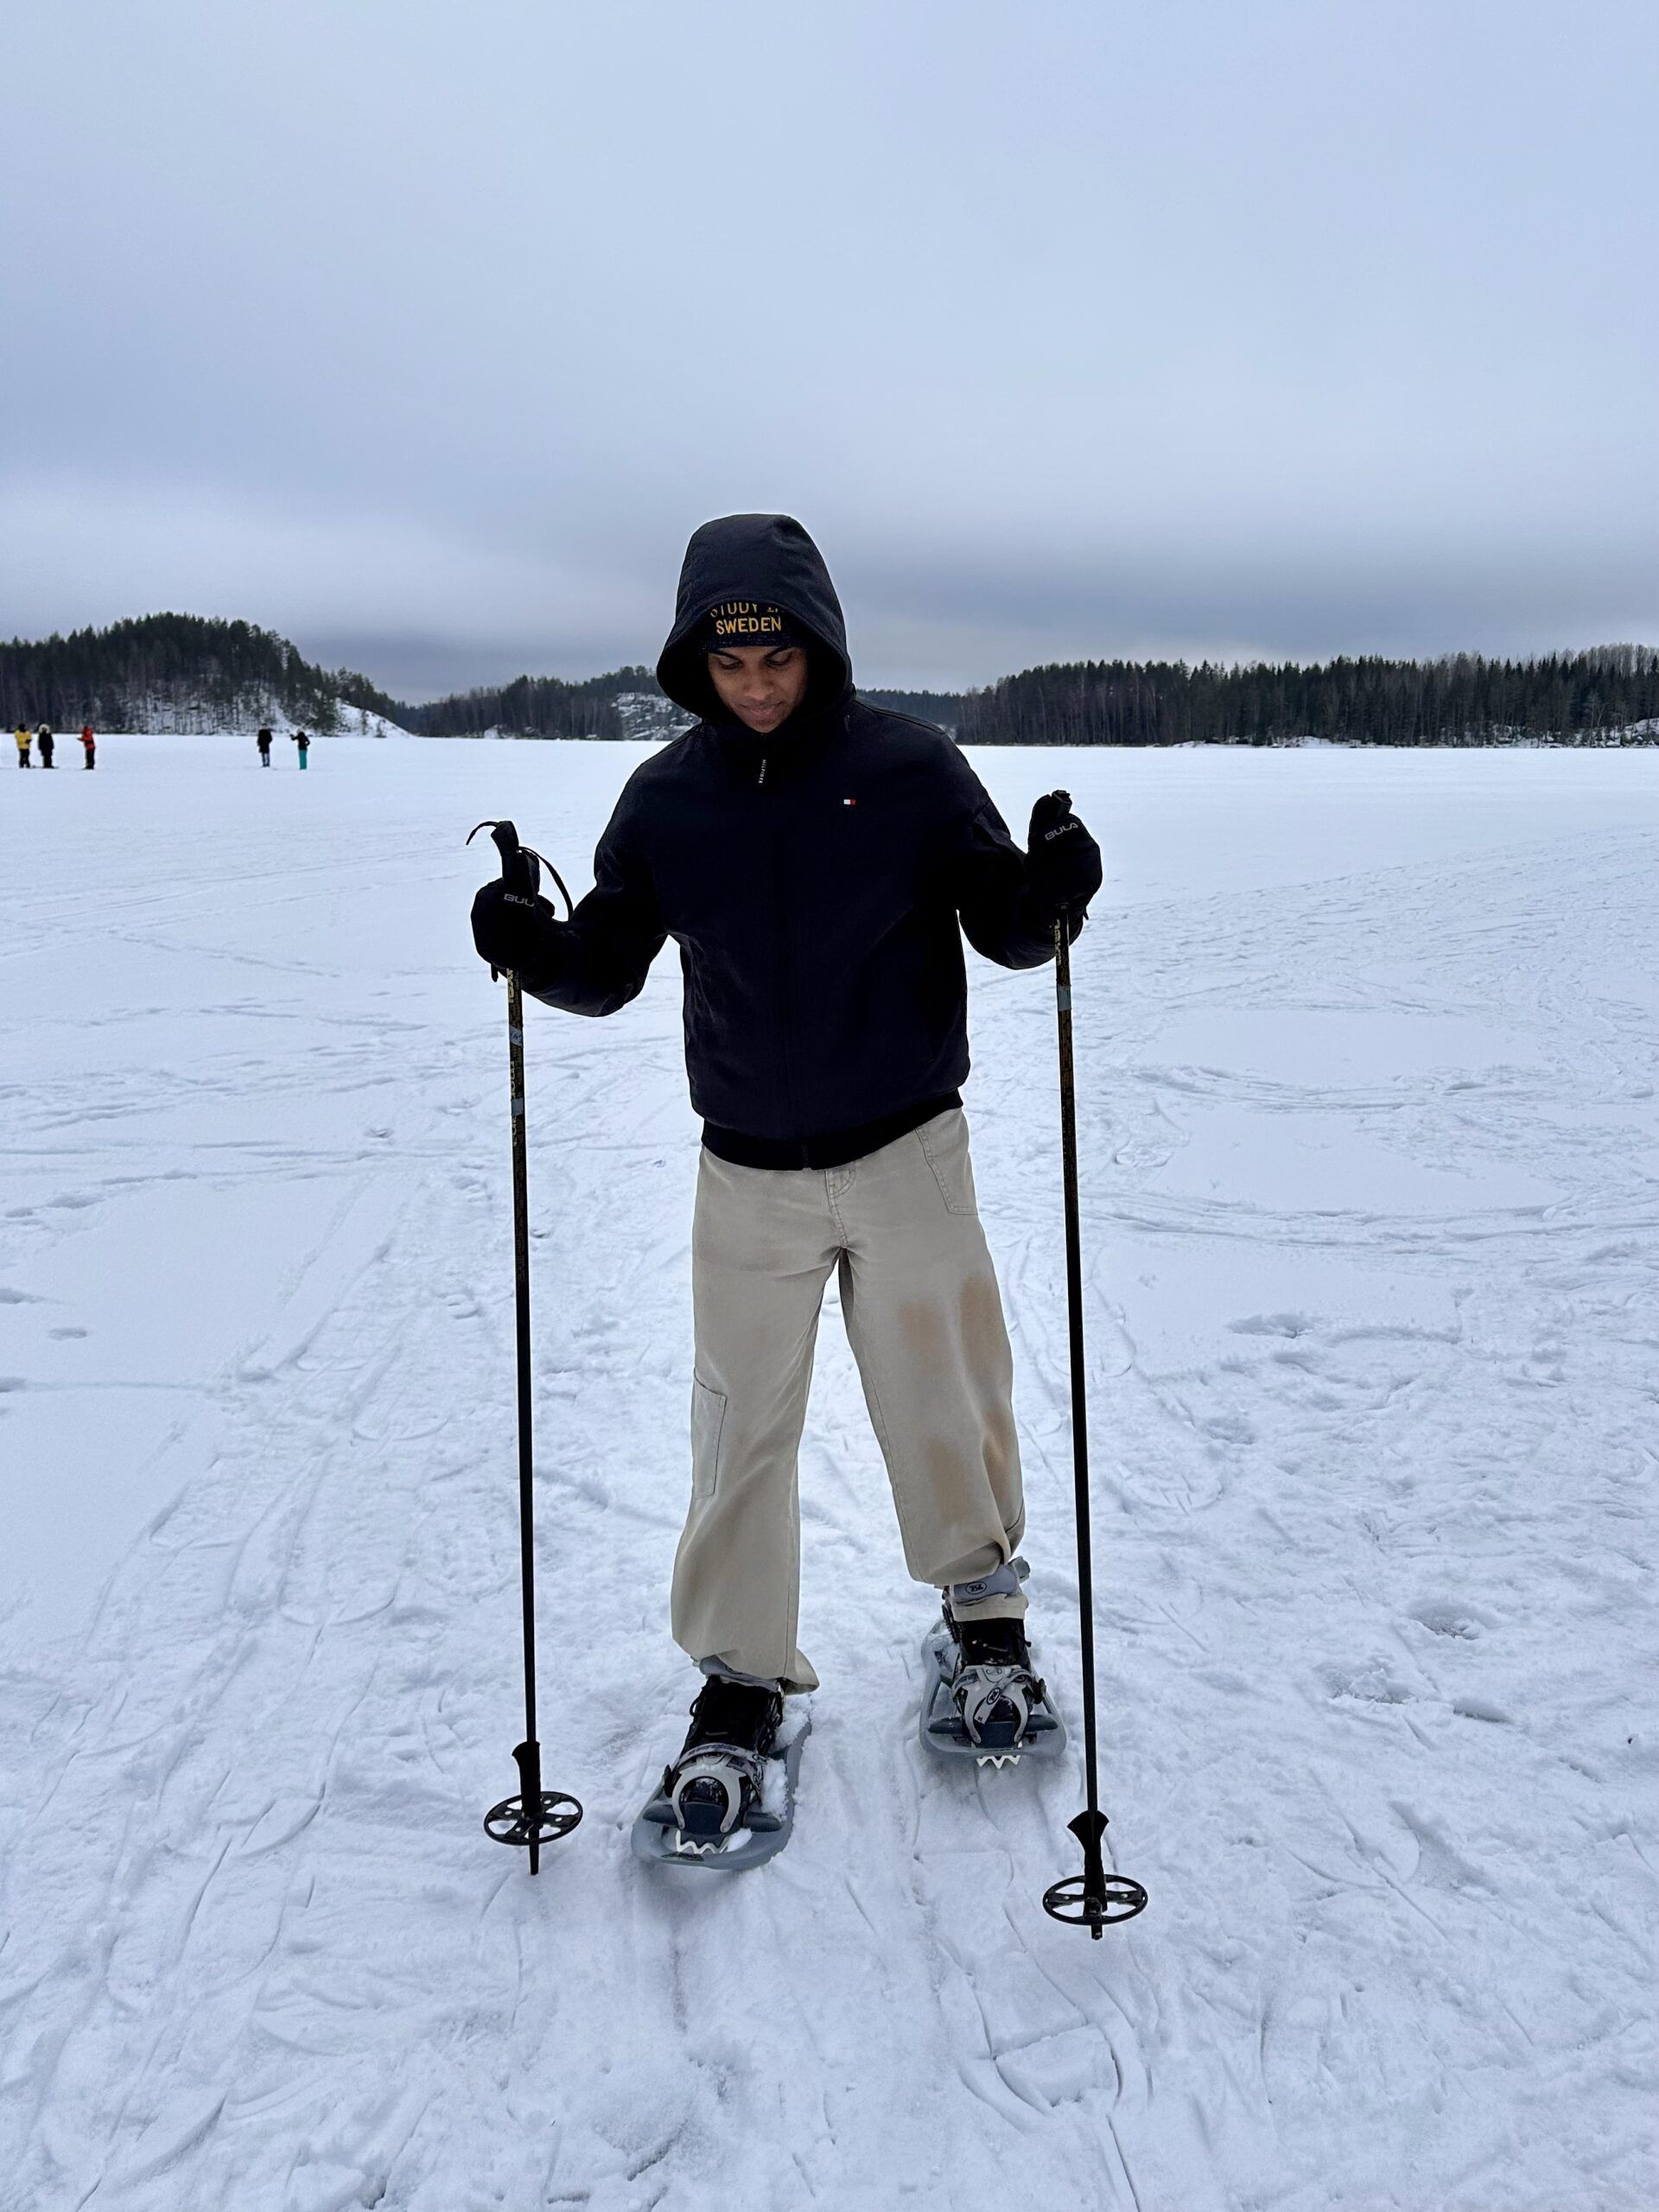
<point>729,1799</point>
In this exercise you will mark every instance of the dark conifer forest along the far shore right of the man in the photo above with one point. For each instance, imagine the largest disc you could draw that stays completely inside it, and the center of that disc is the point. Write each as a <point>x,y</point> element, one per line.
<point>1567,698</point>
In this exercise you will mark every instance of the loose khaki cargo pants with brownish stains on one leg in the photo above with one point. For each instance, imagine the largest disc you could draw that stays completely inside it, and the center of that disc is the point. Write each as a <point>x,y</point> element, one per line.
<point>926,1326</point>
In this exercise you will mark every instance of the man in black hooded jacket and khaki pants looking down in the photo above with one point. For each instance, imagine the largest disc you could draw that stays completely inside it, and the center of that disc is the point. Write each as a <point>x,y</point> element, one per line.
<point>817,862</point>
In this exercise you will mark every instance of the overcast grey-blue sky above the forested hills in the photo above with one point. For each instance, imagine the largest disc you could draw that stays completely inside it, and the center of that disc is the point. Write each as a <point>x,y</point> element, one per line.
<point>428,333</point>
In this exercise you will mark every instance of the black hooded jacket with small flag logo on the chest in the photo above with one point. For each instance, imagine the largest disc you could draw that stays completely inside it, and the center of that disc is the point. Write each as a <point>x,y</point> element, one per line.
<point>817,884</point>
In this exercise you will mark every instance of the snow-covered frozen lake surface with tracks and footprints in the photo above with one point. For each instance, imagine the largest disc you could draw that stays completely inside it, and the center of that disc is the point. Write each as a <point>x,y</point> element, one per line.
<point>1373,1220</point>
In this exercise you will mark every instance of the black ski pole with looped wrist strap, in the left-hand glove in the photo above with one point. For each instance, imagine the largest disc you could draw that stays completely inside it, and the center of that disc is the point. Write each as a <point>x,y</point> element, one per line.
<point>536,1815</point>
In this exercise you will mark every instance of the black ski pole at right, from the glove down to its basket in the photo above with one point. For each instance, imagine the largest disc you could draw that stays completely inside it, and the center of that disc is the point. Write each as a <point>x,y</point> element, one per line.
<point>1092,1899</point>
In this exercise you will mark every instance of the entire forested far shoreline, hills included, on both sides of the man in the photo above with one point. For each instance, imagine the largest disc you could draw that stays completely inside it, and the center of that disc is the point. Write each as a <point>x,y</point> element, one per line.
<point>191,674</point>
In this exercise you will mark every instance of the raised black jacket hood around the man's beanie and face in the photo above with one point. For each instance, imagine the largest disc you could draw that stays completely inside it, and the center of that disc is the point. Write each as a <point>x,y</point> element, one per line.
<point>766,559</point>
